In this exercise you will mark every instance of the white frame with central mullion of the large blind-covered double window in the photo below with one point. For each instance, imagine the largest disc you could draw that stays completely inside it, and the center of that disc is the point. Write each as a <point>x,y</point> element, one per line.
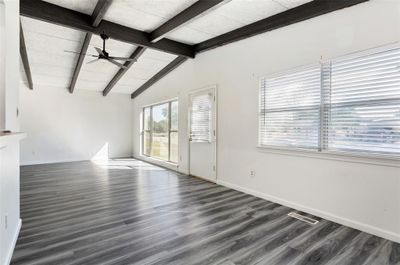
<point>368,157</point>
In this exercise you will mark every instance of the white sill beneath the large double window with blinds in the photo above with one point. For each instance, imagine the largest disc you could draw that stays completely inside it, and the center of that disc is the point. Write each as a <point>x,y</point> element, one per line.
<point>372,159</point>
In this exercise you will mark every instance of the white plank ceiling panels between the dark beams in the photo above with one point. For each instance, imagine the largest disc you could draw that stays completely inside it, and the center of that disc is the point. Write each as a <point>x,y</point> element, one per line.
<point>52,66</point>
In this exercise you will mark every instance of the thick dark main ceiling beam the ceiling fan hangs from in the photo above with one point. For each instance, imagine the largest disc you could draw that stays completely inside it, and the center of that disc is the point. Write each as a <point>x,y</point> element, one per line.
<point>69,18</point>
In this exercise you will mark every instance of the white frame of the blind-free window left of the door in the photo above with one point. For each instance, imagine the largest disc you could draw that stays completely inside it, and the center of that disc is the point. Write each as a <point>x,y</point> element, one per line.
<point>150,130</point>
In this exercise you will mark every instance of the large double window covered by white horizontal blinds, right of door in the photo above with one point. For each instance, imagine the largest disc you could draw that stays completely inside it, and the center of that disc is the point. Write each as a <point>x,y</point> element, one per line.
<point>350,104</point>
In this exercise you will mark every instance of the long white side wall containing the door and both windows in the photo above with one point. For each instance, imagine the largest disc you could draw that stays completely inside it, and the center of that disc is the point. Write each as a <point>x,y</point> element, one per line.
<point>359,193</point>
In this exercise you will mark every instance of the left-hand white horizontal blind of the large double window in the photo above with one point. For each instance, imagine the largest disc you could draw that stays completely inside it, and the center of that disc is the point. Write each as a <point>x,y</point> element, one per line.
<point>289,109</point>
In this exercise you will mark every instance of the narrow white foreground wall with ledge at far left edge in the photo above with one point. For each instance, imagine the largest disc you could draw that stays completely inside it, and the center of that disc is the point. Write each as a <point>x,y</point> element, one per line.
<point>10,221</point>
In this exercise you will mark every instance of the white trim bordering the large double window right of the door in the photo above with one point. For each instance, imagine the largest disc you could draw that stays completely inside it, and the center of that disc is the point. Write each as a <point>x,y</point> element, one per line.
<point>346,156</point>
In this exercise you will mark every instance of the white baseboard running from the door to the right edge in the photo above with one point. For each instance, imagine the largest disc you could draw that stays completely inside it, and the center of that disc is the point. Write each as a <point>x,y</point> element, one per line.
<point>328,216</point>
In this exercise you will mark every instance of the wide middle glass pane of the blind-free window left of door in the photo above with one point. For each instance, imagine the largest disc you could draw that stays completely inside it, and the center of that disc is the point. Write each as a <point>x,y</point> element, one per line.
<point>159,148</point>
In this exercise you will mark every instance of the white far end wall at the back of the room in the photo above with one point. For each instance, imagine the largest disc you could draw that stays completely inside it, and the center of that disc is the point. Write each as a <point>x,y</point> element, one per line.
<point>71,127</point>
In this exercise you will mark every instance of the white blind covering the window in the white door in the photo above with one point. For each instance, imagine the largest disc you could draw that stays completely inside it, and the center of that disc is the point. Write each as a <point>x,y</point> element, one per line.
<point>201,118</point>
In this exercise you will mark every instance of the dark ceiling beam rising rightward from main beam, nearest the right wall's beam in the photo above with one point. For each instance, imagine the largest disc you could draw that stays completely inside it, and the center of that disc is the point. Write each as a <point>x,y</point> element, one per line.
<point>183,17</point>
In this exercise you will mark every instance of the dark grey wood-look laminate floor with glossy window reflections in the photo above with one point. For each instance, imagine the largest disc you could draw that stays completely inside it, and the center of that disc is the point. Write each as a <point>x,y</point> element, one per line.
<point>131,212</point>
